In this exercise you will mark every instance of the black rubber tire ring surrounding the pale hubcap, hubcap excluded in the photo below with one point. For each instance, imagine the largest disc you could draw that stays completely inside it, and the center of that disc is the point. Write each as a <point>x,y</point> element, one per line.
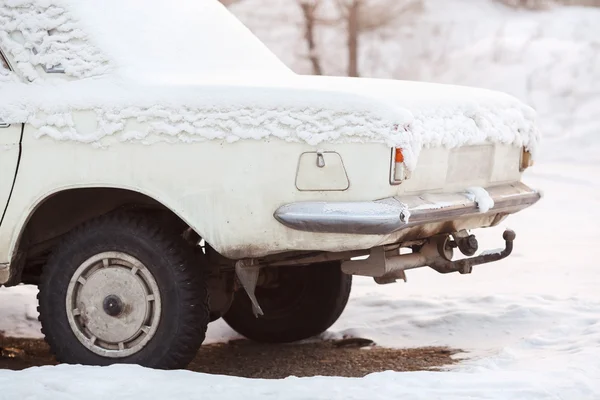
<point>184,313</point>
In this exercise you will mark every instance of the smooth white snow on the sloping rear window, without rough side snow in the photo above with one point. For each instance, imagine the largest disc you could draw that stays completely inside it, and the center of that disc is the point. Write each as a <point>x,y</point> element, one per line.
<point>180,39</point>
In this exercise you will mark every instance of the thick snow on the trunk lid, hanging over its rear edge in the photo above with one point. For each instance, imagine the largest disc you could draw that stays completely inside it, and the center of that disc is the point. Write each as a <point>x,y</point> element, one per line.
<point>446,115</point>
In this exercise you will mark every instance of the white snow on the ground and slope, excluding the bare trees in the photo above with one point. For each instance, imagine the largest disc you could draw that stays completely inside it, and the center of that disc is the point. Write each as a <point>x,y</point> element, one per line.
<point>530,324</point>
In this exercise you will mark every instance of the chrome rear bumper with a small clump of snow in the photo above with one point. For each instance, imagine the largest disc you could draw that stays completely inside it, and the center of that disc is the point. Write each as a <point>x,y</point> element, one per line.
<point>381,217</point>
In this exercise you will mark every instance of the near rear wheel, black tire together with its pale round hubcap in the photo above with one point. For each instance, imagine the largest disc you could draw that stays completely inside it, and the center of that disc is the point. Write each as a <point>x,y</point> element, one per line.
<point>121,290</point>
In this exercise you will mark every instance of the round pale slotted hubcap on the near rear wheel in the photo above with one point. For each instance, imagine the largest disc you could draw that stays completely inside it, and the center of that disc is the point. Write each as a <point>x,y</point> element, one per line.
<point>113,304</point>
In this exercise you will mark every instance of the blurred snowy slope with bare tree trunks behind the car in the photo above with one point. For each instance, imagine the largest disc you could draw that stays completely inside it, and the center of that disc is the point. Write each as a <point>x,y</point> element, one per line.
<point>545,52</point>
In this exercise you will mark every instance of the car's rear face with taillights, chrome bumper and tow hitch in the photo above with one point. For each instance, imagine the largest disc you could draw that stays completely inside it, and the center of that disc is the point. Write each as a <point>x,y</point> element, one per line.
<point>450,192</point>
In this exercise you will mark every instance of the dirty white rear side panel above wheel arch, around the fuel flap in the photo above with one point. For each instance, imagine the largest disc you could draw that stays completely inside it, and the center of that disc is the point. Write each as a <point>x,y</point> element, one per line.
<point>227,192</point>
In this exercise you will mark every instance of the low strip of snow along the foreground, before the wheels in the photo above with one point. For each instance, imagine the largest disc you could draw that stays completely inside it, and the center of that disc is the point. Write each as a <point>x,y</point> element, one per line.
<point>127,382</point>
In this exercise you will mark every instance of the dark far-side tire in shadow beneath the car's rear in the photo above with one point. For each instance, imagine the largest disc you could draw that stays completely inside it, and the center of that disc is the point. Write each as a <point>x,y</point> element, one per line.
<point>306,301</point>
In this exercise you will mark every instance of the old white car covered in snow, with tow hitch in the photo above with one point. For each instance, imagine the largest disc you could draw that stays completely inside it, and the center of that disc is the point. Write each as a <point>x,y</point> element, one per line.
<point>160,169</point>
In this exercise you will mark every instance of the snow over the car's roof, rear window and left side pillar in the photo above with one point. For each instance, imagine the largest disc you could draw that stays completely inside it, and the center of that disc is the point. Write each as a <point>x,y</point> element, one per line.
<point>150,39</point>
